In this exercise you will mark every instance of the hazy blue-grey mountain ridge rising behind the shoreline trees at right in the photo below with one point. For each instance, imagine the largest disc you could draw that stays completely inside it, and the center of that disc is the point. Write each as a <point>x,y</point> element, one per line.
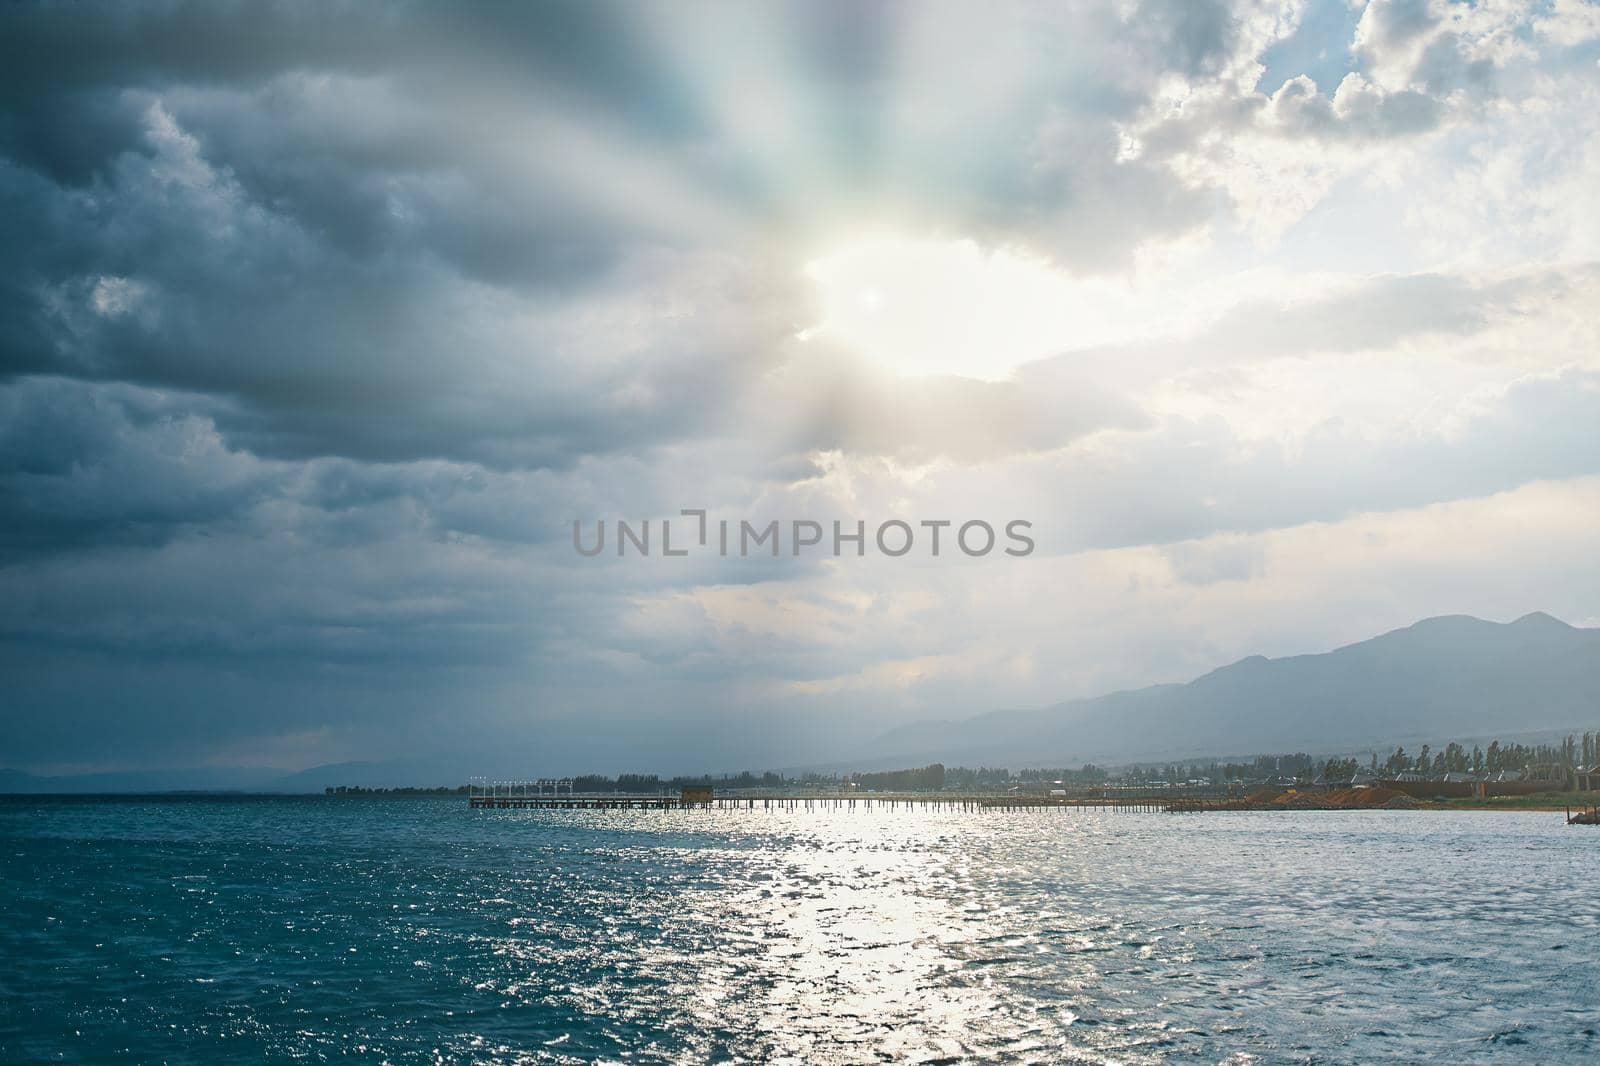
<point>1442,679</point>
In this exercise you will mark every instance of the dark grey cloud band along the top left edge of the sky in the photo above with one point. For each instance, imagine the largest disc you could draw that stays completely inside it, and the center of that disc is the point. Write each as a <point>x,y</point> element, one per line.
<point>63,52</point>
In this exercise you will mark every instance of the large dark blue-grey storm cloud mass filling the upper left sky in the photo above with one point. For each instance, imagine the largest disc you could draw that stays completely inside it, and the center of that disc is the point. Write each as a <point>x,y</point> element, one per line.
<point>382,239</point>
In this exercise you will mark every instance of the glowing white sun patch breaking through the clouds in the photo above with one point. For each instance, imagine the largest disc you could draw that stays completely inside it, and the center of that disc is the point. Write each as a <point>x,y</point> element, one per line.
<point>951,307</point>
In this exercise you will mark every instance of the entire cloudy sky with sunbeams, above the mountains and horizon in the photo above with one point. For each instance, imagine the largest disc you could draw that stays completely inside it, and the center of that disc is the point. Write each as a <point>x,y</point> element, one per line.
<point>322,324</point>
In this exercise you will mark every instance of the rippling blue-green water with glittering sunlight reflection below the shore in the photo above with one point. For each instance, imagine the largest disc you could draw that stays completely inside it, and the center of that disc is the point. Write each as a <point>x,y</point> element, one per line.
<point>417,931</point>
